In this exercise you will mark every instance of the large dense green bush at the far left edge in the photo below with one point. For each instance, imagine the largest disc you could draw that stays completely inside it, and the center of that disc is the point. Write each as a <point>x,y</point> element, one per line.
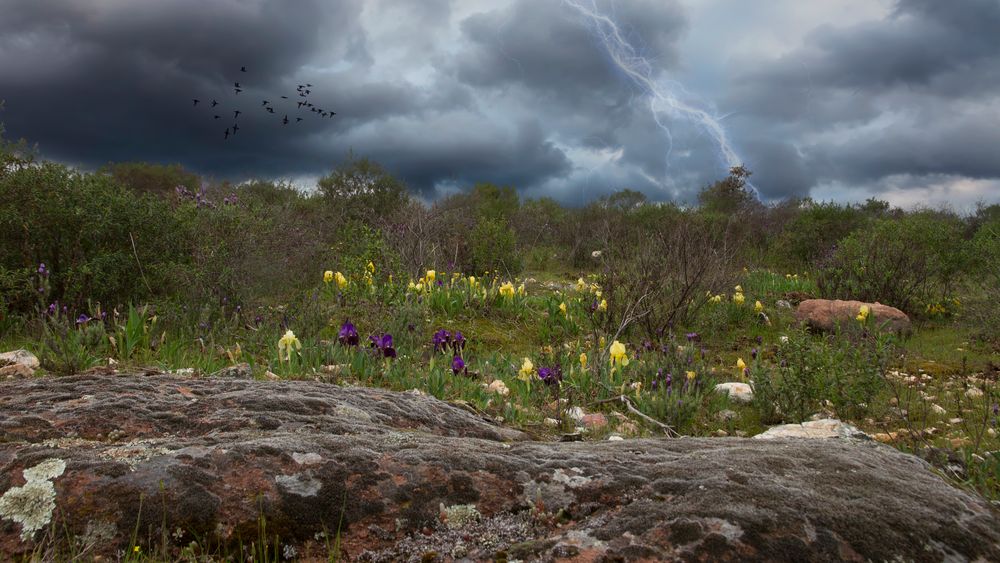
<point>98,240</point>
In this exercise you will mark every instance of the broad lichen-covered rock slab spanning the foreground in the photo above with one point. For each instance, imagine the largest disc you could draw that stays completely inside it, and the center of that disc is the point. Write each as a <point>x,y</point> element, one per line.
<point>407,477</point>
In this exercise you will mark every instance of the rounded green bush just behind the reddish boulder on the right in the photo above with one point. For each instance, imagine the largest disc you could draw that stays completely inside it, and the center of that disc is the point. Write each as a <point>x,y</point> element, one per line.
<point>902,262</point>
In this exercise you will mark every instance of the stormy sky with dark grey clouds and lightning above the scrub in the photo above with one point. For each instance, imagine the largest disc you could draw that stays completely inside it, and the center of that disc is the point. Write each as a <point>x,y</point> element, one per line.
<point>837,100</point>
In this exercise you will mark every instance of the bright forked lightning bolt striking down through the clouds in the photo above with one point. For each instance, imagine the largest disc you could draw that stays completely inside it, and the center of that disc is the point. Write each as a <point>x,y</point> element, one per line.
<point>664,104</point>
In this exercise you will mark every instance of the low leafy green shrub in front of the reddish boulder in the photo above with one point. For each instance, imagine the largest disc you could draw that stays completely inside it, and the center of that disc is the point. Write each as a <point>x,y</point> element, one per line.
<point>842,372</point>
